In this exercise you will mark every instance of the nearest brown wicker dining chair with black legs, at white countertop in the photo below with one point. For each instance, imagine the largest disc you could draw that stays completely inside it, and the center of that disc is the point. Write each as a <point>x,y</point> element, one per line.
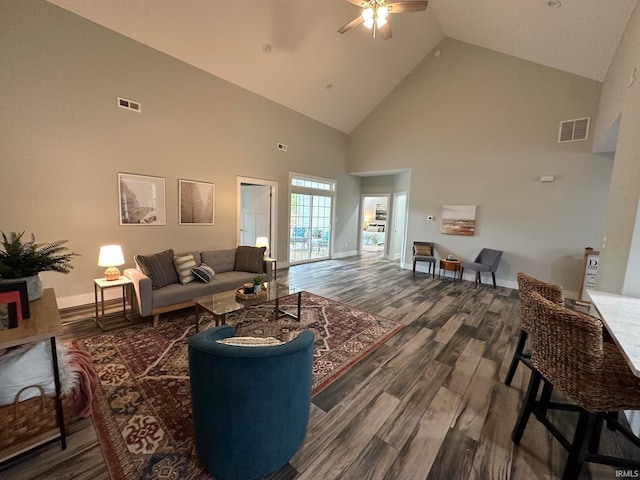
<point>568,352</point>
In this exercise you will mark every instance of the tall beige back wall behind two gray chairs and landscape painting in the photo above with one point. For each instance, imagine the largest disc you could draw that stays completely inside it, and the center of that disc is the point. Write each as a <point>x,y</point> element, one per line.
<point>477,127</point>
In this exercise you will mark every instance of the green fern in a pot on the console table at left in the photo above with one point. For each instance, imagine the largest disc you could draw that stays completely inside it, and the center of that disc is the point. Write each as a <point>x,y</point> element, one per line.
<point>23,261</point>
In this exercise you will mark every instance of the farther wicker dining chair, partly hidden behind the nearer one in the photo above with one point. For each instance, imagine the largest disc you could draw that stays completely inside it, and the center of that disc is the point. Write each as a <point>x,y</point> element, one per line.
<point>551,292</point>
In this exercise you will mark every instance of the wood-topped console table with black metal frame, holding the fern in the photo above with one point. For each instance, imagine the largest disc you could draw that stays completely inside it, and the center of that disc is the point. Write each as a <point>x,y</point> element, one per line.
<point>44,323</point>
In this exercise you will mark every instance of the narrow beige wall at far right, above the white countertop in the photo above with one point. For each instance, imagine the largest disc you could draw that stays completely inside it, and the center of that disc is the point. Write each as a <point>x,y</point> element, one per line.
<point>618,267</point>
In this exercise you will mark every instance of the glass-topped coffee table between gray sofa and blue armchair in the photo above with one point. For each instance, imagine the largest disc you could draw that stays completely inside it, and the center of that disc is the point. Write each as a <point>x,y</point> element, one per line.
<point>219,304</point>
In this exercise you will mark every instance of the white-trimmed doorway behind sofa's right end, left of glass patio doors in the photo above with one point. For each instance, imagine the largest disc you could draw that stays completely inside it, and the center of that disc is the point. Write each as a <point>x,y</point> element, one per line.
<point>257,200</point>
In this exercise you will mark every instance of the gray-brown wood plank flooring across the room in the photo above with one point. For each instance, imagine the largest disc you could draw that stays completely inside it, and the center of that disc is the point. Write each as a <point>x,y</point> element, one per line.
<point>428,404</point>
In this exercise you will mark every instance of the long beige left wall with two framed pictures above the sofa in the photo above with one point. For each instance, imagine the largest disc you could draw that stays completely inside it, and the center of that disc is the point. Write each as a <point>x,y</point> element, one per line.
<point>63,140</point>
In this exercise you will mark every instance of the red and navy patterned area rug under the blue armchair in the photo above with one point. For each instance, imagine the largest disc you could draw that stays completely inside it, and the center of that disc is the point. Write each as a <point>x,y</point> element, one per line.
<point>142,409</point>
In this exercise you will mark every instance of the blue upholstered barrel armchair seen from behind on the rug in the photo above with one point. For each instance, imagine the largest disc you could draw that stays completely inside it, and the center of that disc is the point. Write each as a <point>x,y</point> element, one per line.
<point>250,404</point>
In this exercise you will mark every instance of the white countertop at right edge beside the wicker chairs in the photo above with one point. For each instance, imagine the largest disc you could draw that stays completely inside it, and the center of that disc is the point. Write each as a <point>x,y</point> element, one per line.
<point>621,315</point>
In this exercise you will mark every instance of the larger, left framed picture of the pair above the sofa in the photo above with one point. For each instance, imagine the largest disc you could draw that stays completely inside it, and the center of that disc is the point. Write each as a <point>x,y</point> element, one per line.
<point>142,200</point>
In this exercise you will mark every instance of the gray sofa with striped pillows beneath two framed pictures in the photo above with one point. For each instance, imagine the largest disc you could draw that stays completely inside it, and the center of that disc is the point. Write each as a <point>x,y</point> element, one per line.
<point>157,289</point>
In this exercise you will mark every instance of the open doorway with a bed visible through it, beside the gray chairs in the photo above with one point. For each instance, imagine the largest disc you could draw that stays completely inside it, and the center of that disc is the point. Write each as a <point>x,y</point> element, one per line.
<point>374,230</point>
